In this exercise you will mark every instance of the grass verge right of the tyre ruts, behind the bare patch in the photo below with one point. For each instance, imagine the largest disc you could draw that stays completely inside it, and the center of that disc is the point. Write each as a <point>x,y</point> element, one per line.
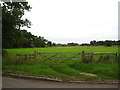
<point>105,71</point>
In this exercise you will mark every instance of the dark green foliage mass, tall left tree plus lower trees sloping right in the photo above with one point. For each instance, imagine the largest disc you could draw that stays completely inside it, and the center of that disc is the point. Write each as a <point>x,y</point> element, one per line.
<point>13,36</point>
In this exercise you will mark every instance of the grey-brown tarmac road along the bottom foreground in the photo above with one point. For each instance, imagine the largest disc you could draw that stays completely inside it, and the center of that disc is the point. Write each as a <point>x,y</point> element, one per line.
<point>8,82</point>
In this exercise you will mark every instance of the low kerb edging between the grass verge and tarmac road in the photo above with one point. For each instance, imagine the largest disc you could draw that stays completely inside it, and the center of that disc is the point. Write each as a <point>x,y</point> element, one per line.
<point>58,80</point>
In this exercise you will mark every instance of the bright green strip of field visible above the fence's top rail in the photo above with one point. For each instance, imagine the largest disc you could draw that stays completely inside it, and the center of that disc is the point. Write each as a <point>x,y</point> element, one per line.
<point>65,49</point>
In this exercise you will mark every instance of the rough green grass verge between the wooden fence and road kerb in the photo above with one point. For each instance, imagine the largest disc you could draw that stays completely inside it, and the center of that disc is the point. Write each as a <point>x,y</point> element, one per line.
<point>65,72</point>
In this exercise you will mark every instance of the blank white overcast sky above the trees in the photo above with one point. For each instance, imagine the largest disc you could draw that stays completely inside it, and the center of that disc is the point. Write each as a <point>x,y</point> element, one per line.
<point>78,21</point>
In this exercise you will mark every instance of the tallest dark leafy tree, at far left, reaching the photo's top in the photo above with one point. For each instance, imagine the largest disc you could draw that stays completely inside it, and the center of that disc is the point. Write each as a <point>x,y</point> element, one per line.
<point>12,13</point>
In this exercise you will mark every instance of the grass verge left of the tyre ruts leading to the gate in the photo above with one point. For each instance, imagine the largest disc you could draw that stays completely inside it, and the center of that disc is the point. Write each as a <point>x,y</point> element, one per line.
<point>35,70</point>
